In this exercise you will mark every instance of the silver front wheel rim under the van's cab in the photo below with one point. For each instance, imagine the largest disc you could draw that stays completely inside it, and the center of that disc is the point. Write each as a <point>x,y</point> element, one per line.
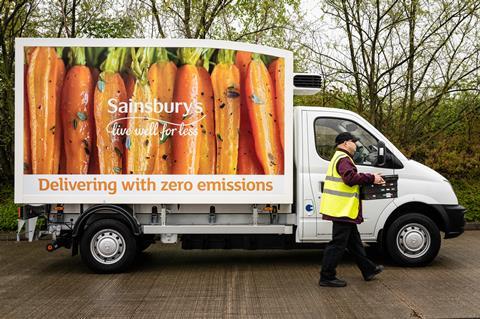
<point>413,240</point>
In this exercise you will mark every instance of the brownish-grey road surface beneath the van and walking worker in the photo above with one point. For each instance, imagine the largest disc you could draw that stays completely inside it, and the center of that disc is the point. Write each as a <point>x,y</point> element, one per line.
<point>172,283</point>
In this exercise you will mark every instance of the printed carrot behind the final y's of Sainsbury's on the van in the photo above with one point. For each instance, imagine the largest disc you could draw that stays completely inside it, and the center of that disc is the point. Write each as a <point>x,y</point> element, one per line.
<point>186,139</point>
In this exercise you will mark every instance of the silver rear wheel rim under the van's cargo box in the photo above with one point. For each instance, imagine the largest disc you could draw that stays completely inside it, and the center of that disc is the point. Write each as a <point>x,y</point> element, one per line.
<point>107,246</point>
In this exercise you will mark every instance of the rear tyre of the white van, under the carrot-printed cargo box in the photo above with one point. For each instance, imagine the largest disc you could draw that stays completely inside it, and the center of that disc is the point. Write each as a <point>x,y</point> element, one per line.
<point>108,246</point>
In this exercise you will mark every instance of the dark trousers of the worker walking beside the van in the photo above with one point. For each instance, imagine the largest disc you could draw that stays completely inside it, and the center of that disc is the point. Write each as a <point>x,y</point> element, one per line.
<point>345,235</point>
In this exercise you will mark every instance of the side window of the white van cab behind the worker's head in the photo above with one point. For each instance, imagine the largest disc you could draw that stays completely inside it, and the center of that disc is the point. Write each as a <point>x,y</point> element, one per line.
<point>326,129</point>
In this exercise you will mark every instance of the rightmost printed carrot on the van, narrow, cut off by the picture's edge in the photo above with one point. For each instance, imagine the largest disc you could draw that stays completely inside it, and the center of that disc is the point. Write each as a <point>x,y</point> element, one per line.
<point>277,73</point>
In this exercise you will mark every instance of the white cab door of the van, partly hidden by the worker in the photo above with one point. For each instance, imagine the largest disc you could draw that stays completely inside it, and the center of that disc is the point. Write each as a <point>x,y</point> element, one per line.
<point>322,132</point>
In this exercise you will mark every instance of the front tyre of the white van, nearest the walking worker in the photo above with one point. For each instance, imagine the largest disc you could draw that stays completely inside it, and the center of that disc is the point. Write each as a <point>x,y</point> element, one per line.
<point>413,240</point>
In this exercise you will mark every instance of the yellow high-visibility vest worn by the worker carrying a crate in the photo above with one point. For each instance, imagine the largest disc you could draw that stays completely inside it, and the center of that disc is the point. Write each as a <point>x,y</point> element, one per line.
<point>339,199</point>
